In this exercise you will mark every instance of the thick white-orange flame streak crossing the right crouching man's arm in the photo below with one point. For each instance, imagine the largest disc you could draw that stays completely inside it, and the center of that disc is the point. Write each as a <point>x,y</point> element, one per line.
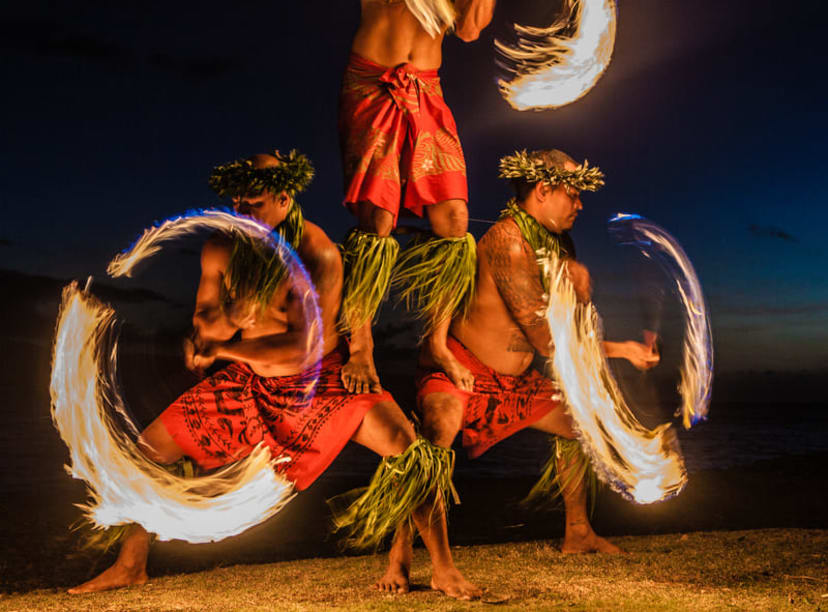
<point>643,465</point>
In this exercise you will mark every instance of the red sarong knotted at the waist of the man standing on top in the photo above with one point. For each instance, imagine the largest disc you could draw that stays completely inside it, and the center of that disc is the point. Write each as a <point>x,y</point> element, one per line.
<point>399,140</point>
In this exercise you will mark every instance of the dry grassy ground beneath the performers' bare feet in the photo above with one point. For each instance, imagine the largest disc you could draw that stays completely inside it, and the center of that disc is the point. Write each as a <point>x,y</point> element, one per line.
<point>769,569</point>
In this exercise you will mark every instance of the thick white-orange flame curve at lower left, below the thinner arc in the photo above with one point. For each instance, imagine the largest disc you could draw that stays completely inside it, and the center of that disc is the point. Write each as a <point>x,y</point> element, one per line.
<point>125,486</point>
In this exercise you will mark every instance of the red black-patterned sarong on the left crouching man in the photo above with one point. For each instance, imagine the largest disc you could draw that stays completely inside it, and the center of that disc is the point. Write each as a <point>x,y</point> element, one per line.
<point>225,416</point>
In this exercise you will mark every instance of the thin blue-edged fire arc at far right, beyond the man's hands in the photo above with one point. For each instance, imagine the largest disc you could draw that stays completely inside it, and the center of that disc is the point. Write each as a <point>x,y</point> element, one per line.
<point>656,243</point>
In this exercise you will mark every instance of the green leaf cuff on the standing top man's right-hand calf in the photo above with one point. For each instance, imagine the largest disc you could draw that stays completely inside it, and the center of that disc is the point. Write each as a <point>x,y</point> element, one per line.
<point>437,277</point>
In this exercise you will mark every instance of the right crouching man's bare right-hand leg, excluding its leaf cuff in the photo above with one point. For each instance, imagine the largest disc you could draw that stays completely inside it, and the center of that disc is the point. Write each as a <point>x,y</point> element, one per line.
<point>579,536</point>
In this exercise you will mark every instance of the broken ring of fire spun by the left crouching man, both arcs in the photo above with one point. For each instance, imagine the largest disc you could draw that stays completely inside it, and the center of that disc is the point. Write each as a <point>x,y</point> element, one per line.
<point>125,486</point>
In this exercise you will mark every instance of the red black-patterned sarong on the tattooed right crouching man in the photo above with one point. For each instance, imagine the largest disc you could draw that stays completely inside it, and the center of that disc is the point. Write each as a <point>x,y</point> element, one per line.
<point>499,406</point>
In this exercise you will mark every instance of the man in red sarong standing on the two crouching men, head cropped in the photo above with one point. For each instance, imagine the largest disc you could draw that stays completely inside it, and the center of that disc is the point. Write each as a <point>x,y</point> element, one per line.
<point>400,148</point>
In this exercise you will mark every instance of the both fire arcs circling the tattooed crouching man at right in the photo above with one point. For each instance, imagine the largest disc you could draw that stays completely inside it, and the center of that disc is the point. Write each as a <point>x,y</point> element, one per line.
<point>643,465</point>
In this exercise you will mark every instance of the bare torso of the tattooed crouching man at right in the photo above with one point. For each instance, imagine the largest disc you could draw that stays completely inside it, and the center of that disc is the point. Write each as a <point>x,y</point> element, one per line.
<point>491,330</point>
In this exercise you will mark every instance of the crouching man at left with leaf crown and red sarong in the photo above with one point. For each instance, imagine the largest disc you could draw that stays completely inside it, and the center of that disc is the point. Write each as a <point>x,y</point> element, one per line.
<point>254,399</point>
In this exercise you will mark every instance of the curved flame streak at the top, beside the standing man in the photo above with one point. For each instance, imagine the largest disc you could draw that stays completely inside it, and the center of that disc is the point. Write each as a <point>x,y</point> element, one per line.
<point>556,65</point>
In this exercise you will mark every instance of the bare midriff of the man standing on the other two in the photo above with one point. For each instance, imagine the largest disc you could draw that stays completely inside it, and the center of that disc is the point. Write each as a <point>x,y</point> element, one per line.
<point>390,35</point>
